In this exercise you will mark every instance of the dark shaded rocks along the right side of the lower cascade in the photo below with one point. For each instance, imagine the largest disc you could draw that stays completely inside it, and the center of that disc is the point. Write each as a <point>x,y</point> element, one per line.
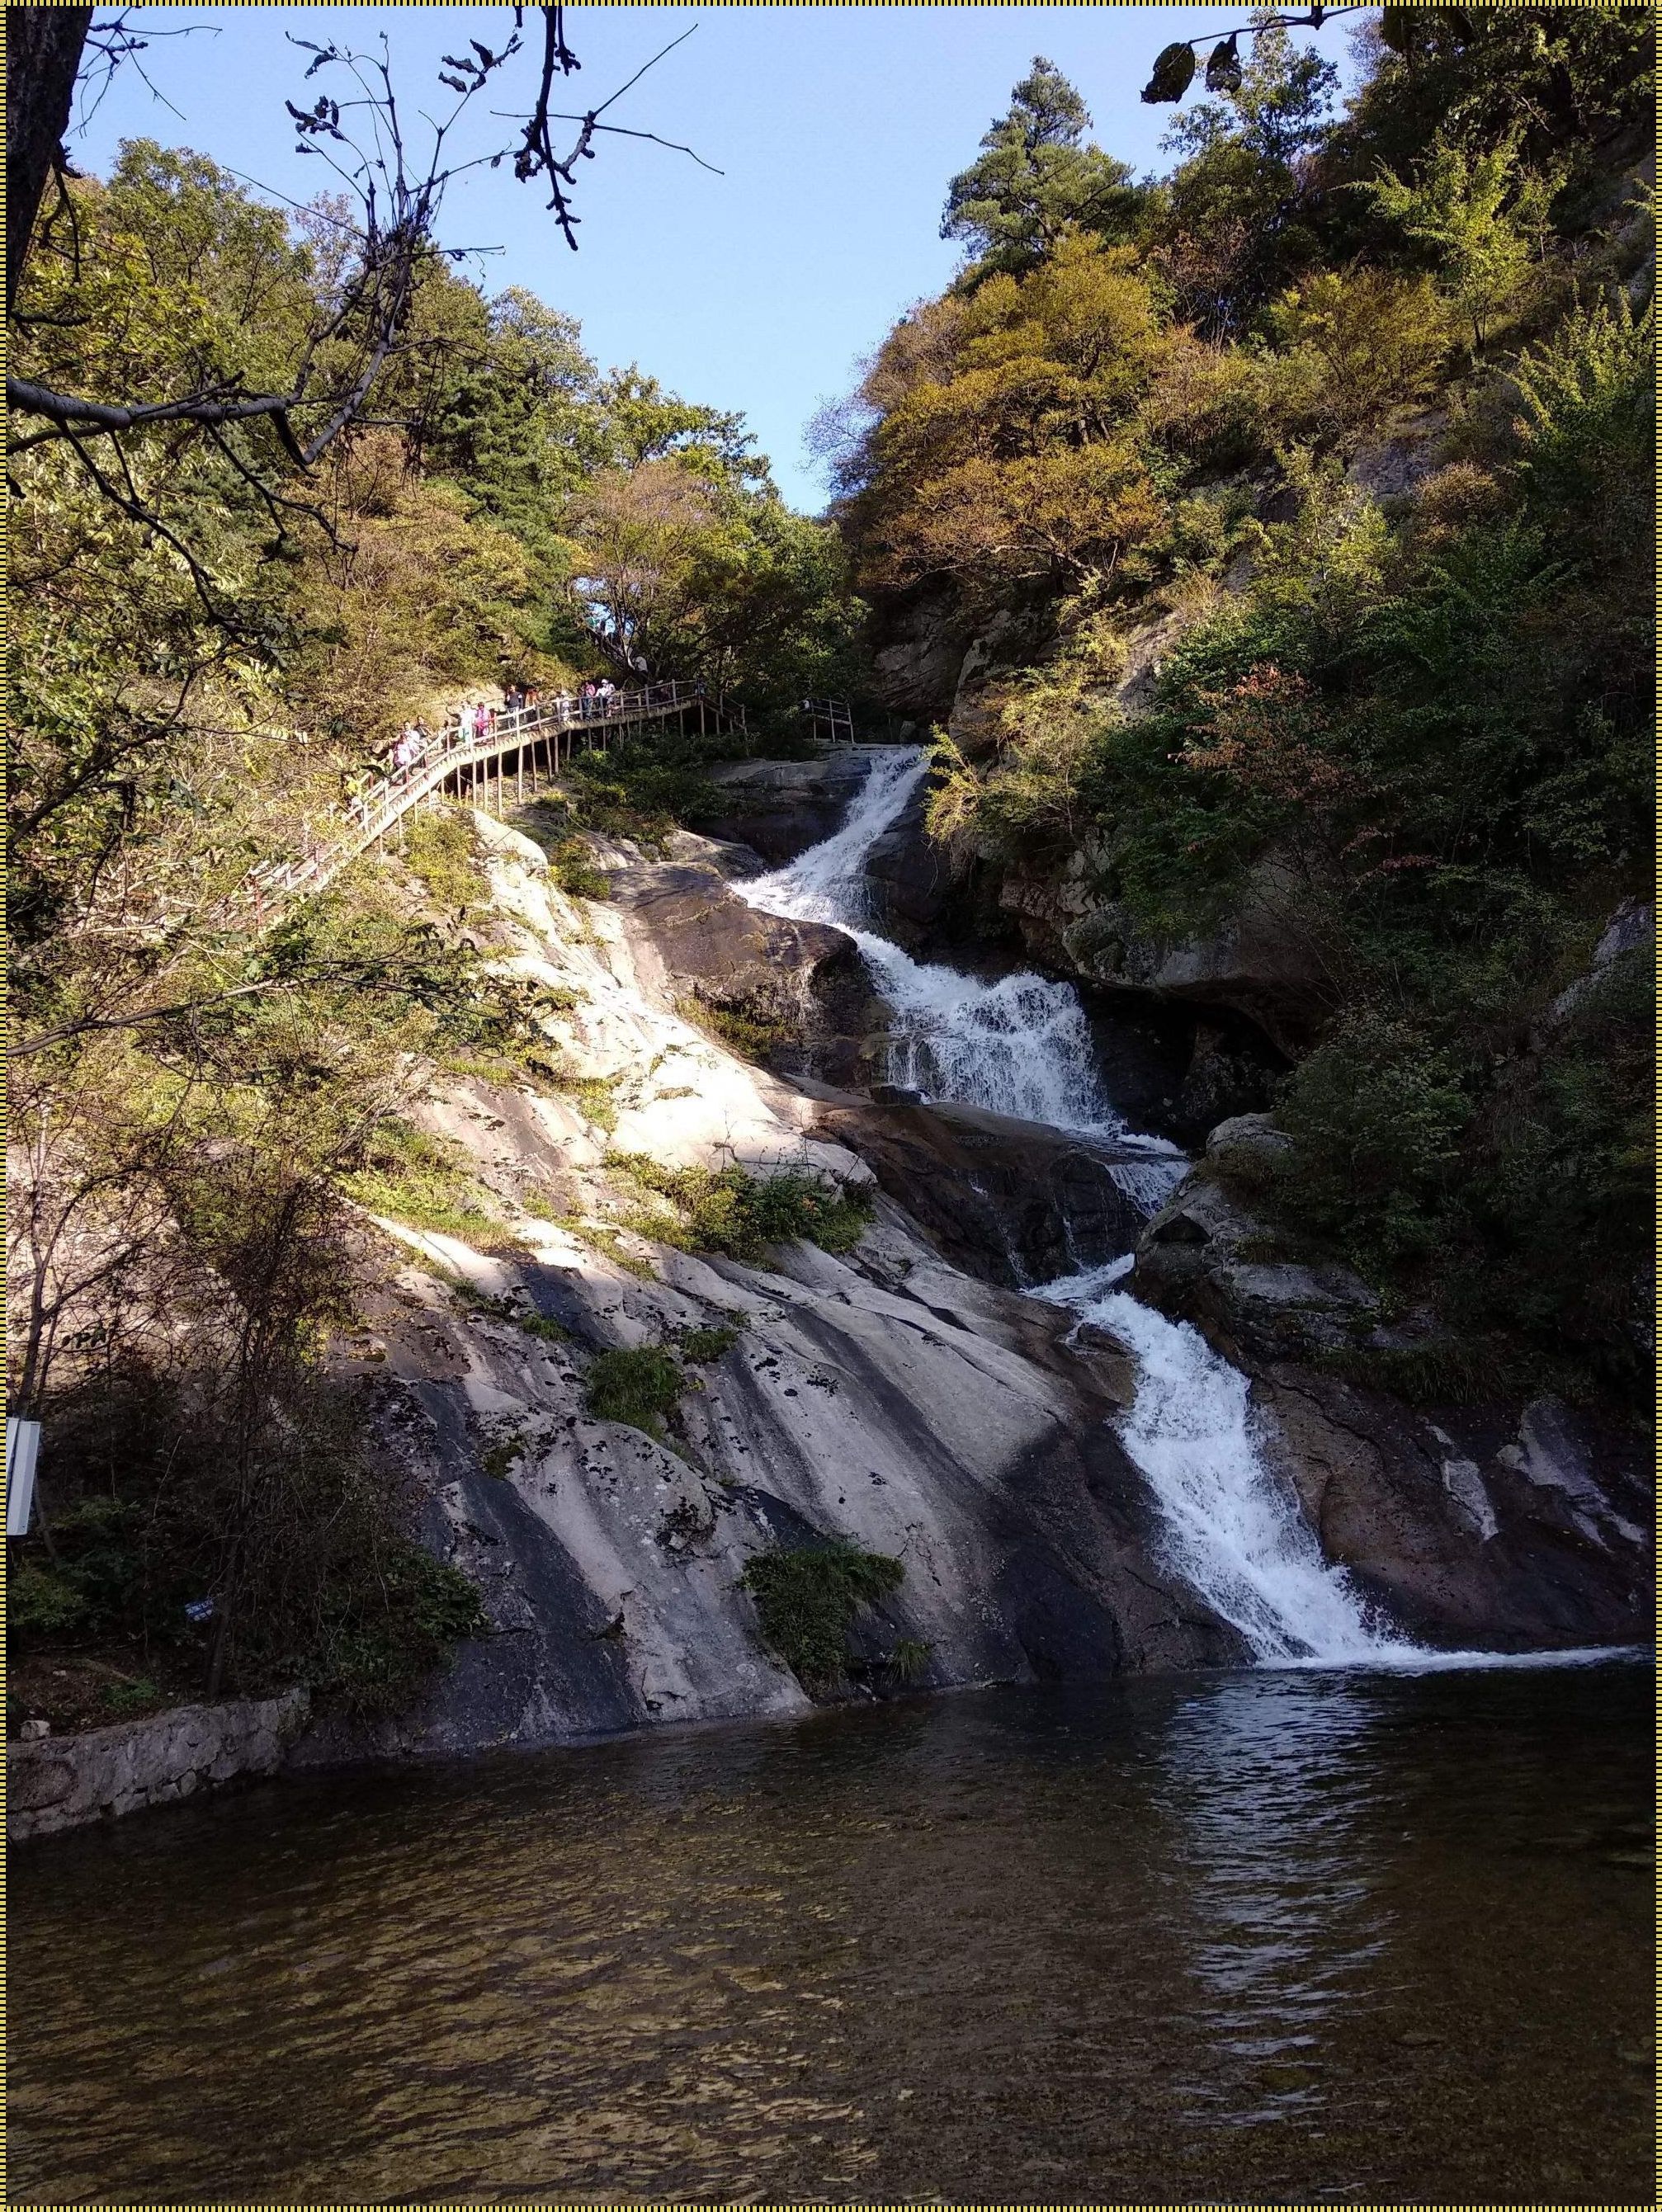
<point>1473,1523</point>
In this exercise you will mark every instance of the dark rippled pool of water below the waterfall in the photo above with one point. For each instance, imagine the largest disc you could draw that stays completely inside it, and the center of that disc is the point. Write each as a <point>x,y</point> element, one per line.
<point>1232,1939</point>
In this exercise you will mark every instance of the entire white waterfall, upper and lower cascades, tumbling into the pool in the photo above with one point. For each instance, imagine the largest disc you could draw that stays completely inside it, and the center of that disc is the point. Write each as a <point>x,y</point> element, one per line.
<point>1024,1047</point>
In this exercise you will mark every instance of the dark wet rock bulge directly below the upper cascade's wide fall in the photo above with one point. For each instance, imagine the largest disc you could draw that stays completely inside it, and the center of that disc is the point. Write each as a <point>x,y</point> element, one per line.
<point>1015,1202</point>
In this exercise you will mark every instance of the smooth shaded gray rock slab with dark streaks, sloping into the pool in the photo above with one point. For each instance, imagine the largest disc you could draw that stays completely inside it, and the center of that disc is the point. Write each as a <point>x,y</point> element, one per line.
<point>884,1399</point>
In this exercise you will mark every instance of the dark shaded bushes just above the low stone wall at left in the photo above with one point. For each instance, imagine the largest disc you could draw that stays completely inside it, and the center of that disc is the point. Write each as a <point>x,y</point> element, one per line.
<point>287,1527</point>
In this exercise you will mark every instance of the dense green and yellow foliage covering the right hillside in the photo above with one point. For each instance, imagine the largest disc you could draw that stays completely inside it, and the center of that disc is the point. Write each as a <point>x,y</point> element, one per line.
<point>1406,729</point>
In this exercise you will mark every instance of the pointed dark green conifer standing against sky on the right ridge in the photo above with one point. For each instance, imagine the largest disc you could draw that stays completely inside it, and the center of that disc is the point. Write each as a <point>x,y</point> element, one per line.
<point>1037,178</point>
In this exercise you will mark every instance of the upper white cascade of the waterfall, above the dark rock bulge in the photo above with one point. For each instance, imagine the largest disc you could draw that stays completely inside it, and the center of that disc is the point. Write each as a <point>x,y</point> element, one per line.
<point>1017,1045</point>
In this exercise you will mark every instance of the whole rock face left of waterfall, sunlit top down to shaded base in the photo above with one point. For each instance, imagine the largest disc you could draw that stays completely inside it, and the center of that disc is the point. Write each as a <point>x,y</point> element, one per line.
<point>886,1397</point>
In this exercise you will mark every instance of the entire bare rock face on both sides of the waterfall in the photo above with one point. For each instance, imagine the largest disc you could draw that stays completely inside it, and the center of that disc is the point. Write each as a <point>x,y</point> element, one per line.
<point>900,1397</point>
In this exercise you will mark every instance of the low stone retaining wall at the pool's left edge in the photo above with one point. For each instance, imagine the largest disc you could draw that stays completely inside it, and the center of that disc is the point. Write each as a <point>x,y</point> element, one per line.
<point>65,1782</point>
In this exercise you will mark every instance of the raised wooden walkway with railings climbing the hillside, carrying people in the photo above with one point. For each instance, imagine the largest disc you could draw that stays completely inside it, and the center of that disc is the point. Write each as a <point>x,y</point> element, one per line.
<point>539,738</point>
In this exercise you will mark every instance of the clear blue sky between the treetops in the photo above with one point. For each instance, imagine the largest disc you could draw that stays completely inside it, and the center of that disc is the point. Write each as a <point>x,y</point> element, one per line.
<point>835,127</point>
